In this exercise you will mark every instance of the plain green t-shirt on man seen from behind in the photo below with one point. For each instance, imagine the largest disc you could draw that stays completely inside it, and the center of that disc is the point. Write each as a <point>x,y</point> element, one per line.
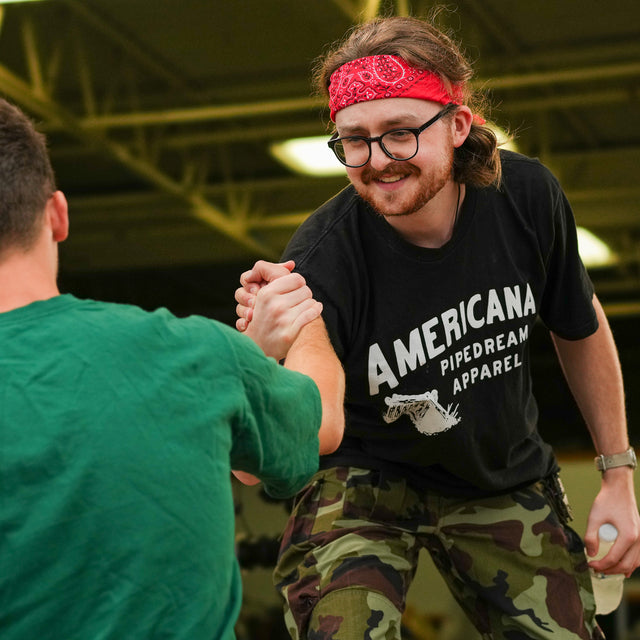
<point>118,431</point>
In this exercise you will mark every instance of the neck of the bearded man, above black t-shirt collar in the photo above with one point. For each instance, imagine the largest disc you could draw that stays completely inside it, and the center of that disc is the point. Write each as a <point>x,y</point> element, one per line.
<point>432,226</point>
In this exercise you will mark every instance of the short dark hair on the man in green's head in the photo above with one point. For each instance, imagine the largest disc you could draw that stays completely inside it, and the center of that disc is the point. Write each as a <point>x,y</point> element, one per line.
<point>26,178</point>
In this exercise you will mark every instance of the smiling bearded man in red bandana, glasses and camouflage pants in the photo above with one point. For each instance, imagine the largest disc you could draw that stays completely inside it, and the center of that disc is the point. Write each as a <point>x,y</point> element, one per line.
<point>432,267</point>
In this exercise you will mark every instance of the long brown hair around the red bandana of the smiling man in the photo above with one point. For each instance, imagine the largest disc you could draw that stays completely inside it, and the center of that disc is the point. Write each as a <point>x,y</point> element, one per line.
<point>423,46</point>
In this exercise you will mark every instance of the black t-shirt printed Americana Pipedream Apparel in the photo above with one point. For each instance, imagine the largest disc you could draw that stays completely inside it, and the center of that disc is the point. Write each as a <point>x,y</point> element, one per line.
<point>434,342</point>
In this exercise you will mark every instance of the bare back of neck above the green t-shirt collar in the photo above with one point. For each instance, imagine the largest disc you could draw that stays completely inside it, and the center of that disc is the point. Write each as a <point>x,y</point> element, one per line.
<point>24,280</point>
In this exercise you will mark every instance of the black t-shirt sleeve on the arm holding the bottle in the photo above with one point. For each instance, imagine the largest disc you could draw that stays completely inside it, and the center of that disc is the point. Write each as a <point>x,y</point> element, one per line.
<point>566,306</point>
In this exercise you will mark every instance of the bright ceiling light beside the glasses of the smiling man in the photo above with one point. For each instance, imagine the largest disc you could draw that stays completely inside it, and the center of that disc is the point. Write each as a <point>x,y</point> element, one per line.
<point>309,156</point>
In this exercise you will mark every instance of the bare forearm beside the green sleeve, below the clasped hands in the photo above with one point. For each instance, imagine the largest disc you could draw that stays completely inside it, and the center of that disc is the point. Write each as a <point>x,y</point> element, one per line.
<point>313,355</point>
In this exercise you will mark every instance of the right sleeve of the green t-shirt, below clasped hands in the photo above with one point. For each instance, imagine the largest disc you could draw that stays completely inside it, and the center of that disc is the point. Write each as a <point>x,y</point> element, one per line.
<point>275,436</point>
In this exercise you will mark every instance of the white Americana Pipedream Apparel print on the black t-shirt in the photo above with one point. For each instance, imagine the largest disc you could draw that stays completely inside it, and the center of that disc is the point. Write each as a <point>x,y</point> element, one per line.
<point>435,341</point>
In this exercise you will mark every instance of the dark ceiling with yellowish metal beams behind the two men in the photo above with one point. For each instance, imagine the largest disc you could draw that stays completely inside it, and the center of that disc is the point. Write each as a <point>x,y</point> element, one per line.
<point>160,114</point>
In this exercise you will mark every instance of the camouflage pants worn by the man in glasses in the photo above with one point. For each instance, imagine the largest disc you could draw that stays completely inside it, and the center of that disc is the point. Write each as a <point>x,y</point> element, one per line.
<point>351,546</point>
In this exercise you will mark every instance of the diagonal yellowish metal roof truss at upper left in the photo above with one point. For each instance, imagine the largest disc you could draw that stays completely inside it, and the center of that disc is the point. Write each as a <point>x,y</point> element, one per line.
<point>38,90</point>
